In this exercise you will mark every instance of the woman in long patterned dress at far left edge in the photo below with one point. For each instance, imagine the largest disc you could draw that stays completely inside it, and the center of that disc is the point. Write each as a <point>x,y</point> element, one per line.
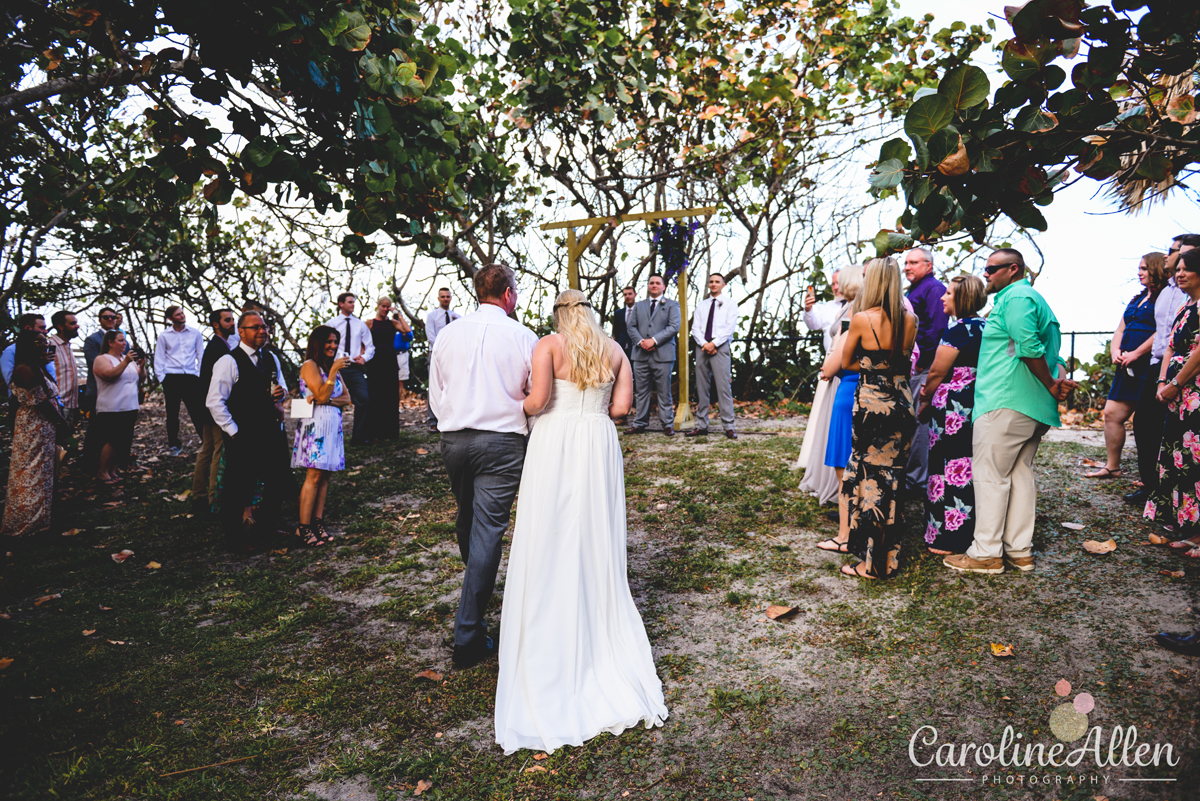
<point>31,493</point>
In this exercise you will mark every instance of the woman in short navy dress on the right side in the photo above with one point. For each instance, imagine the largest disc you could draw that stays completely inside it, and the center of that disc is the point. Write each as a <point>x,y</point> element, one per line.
<point>1131,351</point>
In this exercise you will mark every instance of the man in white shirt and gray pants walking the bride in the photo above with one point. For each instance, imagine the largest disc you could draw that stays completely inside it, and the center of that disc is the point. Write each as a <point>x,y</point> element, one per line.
<point>479,378</point>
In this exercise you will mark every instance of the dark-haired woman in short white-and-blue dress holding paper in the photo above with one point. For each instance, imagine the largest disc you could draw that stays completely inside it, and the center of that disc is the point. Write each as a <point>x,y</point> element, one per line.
<point>320,444</point>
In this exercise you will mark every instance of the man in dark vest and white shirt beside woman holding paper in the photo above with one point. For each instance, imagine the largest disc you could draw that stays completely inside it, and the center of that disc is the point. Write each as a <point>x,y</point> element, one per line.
<point>245,400</point>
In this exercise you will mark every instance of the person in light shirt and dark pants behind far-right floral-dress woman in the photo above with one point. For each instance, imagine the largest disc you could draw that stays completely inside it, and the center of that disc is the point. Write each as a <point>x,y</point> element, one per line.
<point>1151,415</point>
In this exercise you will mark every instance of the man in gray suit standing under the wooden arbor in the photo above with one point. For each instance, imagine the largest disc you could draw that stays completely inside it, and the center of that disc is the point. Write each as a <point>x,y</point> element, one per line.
<point>653,327</point>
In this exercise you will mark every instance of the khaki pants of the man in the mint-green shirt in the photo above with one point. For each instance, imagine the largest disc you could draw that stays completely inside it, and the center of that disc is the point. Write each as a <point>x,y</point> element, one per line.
<point>1005,443</point>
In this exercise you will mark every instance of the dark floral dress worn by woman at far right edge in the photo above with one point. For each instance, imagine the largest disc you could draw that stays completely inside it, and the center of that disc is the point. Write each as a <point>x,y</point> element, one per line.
<point>1175,503</point>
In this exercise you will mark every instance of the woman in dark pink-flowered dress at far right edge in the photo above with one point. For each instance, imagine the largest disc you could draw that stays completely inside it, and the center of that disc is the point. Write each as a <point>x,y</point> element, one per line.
<point>1175,503</point>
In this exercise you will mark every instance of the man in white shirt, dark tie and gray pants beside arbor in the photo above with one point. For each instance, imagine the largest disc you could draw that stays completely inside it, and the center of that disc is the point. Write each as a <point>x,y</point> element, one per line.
<point>712,329</point>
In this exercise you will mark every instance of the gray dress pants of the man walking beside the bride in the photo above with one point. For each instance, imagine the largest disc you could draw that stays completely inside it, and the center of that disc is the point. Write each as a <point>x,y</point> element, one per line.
<point>485,474</point>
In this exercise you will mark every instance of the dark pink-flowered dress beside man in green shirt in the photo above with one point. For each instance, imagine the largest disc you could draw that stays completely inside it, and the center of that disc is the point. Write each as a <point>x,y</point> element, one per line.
<point>950,496</point>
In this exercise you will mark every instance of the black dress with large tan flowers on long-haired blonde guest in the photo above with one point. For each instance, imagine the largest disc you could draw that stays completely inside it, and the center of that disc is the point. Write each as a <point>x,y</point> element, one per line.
<point>873,485</point>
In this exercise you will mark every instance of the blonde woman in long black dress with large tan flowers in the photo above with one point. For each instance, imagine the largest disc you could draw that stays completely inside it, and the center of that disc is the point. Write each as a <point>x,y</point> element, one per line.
<point>885,421</point>
